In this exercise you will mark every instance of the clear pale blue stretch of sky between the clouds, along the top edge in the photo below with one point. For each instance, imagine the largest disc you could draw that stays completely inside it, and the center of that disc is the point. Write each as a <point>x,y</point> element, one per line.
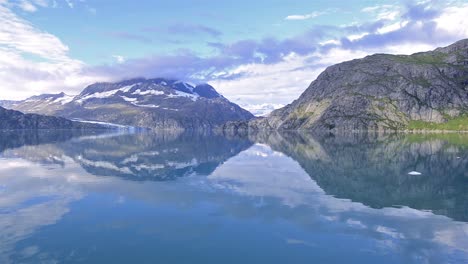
<point>97,30</point>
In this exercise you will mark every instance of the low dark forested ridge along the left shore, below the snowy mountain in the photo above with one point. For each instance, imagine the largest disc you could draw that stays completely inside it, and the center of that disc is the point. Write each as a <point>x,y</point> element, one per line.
<point>10,119</point>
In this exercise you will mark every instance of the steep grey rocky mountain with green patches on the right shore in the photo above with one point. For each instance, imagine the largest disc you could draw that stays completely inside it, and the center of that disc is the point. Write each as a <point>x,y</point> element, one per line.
<point>427,90</point>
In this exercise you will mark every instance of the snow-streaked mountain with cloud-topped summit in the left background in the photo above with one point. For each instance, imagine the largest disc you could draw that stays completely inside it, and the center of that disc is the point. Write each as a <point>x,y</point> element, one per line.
<point>152,103</point>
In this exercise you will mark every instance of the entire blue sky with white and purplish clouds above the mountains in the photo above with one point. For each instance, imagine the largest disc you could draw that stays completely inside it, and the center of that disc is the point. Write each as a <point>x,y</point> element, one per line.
<point>259,54</point>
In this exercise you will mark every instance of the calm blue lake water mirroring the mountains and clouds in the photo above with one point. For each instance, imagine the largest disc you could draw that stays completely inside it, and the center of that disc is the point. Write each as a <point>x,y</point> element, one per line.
<point>271,198</point>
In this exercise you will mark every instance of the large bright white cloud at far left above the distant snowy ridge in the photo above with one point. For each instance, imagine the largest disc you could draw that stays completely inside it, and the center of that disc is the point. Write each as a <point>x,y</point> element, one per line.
<point>33,61</point>
